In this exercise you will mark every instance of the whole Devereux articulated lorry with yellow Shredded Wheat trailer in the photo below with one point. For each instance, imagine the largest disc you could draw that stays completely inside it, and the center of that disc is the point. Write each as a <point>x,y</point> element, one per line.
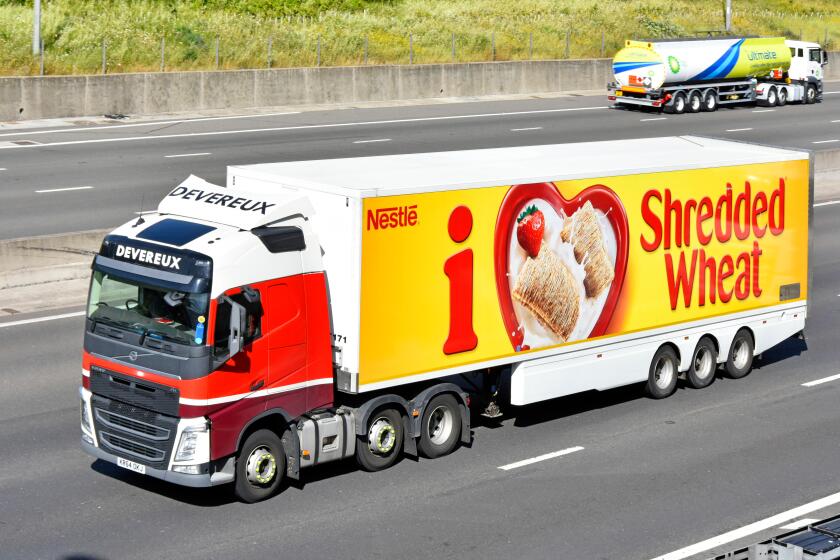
<point>319,310</point>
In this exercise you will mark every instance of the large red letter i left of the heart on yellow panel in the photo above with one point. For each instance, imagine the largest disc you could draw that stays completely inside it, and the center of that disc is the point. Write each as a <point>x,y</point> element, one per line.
<point>459,269</point>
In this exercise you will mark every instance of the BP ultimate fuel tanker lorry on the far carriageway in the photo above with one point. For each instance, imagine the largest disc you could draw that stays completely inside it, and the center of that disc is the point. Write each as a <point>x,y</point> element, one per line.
<point>693,75</point>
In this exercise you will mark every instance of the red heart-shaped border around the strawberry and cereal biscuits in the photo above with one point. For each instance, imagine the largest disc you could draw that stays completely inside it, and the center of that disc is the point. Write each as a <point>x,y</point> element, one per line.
<point>602,198</point>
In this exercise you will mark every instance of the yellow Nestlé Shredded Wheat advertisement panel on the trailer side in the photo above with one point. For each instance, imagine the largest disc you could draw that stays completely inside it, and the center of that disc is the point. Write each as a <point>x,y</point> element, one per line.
<point>460,277</point>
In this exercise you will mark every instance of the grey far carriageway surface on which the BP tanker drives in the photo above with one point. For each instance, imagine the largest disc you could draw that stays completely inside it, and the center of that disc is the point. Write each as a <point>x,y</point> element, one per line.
<point>52,178</point>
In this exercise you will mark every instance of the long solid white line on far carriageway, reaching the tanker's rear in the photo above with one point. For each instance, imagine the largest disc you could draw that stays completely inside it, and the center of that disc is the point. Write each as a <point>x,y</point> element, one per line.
<point>297,127</point>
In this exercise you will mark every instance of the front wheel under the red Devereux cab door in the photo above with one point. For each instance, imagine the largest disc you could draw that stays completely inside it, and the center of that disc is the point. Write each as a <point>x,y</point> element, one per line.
<point>259,467</point>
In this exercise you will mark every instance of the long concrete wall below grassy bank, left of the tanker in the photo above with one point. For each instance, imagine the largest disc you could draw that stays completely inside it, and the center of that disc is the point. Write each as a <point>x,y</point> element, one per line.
<point>27,98</point>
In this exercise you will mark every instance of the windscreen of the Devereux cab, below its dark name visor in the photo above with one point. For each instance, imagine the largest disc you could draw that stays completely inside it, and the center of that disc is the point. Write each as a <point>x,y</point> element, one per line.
<point>156,313</point>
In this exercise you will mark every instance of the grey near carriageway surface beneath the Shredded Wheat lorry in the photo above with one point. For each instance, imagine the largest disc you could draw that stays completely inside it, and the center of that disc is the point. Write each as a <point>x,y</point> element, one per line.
<point>652,477</point>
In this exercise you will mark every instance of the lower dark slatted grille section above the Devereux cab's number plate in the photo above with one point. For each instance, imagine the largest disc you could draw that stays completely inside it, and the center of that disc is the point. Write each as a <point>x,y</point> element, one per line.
<point>134,433</point>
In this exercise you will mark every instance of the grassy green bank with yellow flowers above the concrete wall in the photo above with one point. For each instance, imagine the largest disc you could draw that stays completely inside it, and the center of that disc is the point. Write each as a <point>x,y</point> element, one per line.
<point>74,30</point>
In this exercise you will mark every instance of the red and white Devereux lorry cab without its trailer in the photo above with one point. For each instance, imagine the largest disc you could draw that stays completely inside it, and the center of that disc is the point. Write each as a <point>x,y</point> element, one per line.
<point>201,318</point>
